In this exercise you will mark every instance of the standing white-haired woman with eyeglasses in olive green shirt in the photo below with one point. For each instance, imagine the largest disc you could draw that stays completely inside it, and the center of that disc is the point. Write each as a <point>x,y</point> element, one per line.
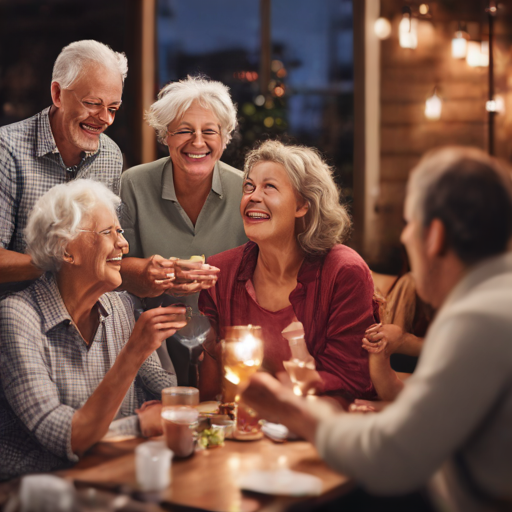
<point>185,204</point>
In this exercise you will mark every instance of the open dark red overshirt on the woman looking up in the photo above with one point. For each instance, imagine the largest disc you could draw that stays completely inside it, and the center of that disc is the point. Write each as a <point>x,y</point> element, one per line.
<point>333,300</point>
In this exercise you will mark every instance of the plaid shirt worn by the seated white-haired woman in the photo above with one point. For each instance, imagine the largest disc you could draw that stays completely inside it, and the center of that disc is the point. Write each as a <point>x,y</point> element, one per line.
<point>47,372</point>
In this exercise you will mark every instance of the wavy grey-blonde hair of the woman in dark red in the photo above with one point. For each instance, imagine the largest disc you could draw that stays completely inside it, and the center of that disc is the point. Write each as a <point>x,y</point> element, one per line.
<point>327,222</point>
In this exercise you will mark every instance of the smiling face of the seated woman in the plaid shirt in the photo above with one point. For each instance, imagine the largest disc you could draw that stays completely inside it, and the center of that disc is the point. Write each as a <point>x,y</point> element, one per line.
<point>97,251</point>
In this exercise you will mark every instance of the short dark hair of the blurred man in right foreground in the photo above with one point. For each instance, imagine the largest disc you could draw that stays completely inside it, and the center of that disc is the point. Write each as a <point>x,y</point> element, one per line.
<point>471,194</point>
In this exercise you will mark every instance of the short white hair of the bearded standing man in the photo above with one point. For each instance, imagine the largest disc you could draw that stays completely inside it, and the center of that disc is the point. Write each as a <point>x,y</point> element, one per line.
<point>75,56</point>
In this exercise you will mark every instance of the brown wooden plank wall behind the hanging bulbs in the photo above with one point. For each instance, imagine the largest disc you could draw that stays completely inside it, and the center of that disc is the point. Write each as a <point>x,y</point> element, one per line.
<point>408,78</point>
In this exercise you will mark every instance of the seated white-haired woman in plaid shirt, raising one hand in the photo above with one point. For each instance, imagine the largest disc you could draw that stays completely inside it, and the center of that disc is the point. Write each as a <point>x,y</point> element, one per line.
<point>73,363</point>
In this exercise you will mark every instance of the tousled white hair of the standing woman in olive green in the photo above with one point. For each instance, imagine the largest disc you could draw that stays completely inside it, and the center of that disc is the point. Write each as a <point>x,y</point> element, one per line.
<point>177,97</point>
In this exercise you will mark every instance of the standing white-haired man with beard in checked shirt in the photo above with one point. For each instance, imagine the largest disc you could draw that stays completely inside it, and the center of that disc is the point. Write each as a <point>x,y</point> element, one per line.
<point>63,142</point>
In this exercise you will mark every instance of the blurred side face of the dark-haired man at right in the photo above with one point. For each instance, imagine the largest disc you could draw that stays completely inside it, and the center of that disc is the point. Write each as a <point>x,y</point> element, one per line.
<point>413,237</point>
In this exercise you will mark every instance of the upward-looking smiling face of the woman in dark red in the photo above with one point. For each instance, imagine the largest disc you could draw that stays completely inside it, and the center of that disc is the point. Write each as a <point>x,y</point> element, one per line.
<point>270,205</point>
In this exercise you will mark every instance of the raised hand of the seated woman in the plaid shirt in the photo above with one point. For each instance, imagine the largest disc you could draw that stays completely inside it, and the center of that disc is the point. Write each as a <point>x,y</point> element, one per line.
<point>153,327</point>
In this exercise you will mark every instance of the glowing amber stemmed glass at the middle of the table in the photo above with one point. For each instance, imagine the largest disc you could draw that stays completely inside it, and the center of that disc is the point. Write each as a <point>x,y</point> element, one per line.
<point>242,355</point>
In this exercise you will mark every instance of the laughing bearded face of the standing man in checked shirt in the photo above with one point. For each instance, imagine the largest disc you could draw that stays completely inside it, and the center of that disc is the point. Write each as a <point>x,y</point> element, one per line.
<point>88,107</point>
